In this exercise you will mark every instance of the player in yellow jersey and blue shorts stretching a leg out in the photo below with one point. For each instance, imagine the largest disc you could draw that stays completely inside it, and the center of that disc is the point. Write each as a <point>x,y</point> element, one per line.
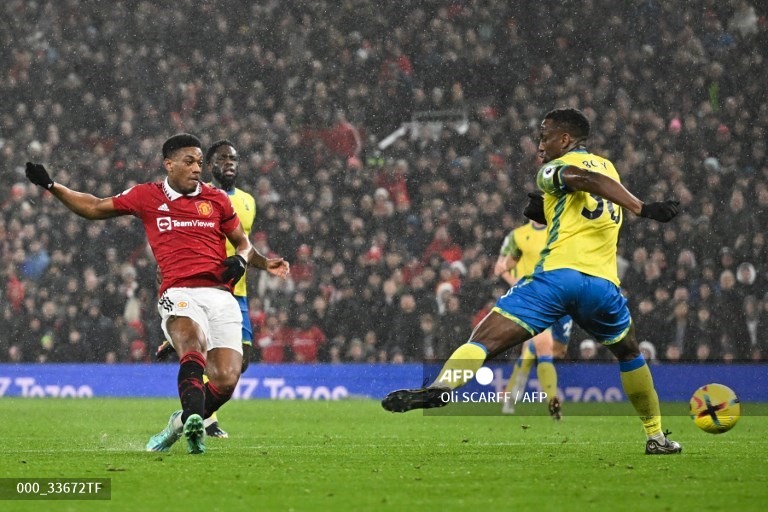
<point>576,275</point>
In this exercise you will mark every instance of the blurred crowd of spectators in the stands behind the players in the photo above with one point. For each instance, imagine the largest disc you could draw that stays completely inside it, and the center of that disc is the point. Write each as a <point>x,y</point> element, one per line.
<point>392,239</point>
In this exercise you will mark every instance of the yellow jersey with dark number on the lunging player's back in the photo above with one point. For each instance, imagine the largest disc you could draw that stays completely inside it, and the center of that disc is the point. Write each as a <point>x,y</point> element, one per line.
<point>582,229</point>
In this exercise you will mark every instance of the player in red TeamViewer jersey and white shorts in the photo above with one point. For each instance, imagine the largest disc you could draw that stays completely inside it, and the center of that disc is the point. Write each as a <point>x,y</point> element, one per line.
<point>186,222</point>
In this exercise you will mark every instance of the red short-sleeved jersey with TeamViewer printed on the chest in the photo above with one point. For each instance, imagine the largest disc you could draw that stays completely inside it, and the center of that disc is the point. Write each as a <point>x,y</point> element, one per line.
<point>186,232</point>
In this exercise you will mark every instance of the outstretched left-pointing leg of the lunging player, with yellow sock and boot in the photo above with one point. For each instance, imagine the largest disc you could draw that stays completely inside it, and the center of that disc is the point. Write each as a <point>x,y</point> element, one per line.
<point>493,335</point>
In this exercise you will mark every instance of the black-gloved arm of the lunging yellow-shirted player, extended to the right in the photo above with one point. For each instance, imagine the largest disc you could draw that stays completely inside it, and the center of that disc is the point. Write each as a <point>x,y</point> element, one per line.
<point>576,178</point>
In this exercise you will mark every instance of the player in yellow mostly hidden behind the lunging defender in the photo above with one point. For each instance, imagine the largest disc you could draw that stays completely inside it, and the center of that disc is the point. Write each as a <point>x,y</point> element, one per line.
<point>517,258</point>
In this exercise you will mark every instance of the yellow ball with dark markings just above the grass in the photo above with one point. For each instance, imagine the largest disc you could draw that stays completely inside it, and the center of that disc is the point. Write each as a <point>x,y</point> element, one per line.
<point>715,408</point>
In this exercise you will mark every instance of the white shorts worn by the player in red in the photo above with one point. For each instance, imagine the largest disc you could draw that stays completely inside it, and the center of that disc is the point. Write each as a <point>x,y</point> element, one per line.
<point>216,311</point>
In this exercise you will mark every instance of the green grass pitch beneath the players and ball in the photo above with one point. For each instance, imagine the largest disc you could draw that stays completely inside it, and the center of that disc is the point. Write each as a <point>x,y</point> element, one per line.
<point>352,455</point>
